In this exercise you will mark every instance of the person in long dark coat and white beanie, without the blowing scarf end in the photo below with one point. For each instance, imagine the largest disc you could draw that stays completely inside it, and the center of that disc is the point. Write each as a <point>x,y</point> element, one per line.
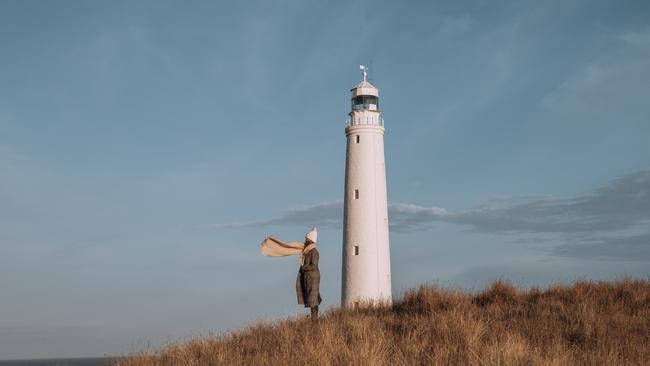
<point>308,280</point>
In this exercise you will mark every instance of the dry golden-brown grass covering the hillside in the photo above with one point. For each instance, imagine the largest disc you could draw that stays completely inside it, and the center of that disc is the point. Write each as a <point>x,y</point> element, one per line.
<point>588,323</point>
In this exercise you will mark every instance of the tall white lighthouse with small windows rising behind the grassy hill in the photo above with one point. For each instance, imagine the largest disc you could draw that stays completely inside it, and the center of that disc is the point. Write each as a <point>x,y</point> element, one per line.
<point>366,253</point>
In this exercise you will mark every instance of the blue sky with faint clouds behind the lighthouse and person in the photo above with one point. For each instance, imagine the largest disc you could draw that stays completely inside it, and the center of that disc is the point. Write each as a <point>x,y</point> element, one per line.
<point>147,147</point>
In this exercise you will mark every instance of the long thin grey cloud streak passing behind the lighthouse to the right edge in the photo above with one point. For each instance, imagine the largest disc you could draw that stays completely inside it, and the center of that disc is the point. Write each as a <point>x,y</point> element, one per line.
<point>621,205</point>
